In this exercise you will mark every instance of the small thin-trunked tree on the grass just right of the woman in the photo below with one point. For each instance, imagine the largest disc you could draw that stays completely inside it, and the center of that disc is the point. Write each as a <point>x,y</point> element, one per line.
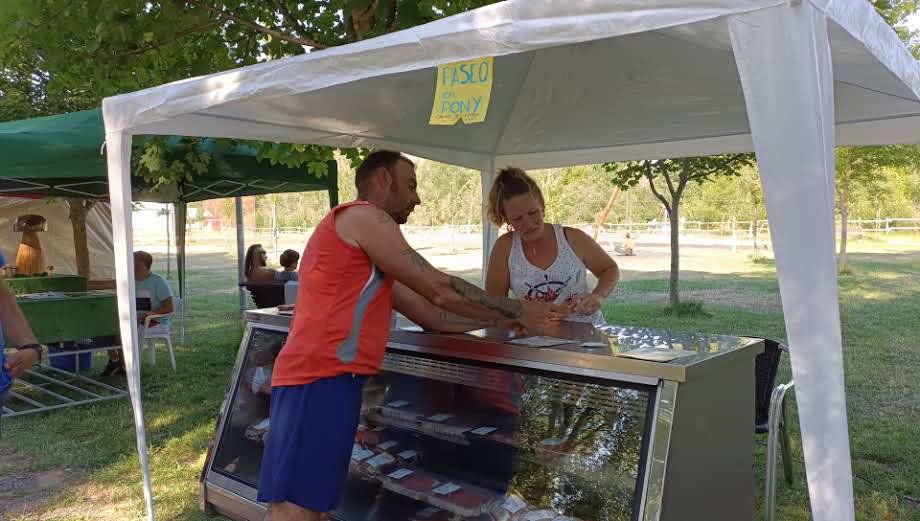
<point>676,174</point>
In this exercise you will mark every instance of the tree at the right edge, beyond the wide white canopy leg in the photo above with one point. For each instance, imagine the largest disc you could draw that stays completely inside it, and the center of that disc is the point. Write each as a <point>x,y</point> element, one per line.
<point>865,166</point>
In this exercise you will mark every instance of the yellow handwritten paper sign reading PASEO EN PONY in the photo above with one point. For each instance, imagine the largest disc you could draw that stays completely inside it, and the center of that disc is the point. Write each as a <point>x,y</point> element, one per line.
<point>463,91</point>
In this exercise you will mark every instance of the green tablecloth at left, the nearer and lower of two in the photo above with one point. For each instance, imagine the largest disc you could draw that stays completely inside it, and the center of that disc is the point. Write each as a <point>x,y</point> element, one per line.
<point>71,317</point>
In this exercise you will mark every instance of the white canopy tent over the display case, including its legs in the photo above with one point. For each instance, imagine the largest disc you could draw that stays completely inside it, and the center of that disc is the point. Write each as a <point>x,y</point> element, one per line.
<point>588,81</point>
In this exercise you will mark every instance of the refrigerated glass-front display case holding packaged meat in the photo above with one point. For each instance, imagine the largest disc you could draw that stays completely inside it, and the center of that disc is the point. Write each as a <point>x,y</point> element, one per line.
<point>478,427</point>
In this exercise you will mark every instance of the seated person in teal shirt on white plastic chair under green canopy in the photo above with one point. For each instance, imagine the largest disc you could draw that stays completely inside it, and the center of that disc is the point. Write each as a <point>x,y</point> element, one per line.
<point>154,297</point>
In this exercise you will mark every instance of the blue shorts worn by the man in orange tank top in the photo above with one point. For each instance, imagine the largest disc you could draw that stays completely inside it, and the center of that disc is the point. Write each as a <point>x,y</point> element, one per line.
<point>309,446</point>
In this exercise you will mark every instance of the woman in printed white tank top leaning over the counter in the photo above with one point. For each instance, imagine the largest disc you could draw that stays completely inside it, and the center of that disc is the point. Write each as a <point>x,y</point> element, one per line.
<point>541,261</point>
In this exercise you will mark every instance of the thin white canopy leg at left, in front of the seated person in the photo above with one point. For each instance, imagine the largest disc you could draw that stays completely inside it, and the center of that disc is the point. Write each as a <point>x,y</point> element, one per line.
<point>118,158</point>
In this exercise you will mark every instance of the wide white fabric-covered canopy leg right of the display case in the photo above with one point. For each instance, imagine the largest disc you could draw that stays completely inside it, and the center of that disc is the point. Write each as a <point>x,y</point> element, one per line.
<point>784,61</point>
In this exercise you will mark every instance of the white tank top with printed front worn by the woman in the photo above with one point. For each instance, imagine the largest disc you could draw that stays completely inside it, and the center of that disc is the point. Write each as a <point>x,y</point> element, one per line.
<point>529,282</point>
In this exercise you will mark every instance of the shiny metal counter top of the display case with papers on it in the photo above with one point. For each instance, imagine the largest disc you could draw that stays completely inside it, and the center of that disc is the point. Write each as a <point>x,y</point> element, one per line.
<point>602,362</point>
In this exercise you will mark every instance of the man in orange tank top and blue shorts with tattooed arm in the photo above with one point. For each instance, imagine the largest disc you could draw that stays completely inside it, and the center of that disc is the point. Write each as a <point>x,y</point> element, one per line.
<point>356,268</point>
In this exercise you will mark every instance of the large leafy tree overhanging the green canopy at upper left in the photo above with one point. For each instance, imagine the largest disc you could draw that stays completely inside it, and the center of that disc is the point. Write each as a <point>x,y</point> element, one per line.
<point>100,48</point>
